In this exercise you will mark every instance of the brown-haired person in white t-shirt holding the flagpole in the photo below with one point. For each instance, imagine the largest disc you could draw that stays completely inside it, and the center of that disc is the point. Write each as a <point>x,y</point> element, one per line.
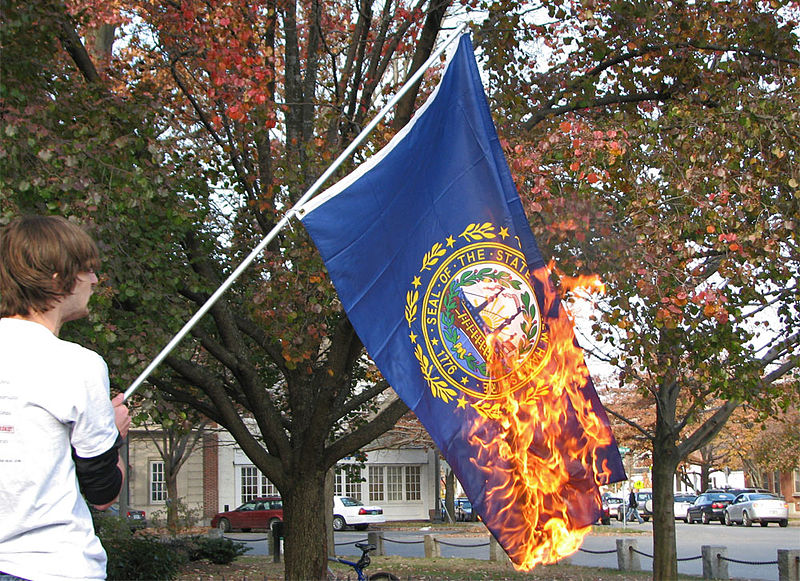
<point>59,430</point>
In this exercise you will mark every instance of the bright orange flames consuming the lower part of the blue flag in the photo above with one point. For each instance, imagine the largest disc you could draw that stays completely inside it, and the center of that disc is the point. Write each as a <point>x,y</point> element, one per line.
<point>538,455</point>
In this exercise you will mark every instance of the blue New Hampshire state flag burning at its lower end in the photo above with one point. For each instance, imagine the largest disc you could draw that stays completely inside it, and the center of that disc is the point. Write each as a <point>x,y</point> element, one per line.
<point>432,257</point>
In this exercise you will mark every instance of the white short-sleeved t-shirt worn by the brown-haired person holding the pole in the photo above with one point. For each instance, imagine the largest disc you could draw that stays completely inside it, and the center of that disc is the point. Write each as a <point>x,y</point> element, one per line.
<point>53,394</point>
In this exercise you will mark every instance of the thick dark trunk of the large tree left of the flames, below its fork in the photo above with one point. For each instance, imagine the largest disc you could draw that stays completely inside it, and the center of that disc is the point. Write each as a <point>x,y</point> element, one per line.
<point>304,527</point>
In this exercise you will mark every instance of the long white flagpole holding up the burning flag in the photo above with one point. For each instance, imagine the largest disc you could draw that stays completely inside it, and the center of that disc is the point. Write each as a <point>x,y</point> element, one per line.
<point>290,214</point>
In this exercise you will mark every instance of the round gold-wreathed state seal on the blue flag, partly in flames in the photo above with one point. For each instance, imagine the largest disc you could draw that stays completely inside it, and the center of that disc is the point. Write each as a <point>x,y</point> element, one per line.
<point>474,318</point>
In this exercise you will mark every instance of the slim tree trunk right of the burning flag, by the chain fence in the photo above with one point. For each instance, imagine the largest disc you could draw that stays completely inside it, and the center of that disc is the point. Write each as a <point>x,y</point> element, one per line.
<point>665,463</point>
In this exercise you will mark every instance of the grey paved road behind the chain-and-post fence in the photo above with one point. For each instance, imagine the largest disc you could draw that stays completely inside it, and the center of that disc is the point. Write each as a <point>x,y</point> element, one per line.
<point>754,544</point>
